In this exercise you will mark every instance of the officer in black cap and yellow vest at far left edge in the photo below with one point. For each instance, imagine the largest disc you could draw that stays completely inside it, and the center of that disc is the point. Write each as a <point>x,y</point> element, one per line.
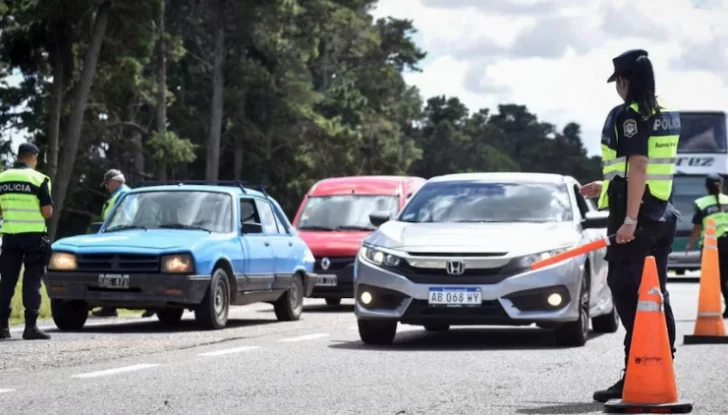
<point>25,201</point>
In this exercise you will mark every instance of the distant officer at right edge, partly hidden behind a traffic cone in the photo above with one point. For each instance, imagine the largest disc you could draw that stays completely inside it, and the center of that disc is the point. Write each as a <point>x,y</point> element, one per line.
<point>714,205</point>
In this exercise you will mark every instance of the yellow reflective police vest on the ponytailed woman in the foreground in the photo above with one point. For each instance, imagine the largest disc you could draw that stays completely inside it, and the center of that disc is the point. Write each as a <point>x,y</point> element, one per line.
<point>661,154</point>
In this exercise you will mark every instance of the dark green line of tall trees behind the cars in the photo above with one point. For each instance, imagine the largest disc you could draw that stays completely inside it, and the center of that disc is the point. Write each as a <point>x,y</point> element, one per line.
<point>278,92</point>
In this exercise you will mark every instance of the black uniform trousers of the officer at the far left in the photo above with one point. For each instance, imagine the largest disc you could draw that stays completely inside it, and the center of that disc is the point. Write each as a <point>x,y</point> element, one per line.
<point>17,250</point>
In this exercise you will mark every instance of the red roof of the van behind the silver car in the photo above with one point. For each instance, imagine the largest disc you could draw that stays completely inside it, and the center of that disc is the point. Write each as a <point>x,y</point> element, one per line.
<point>387,185</point>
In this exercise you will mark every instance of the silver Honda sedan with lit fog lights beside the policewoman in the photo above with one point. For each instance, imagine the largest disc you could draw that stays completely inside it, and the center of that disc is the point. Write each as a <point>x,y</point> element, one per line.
<point>460,251</point>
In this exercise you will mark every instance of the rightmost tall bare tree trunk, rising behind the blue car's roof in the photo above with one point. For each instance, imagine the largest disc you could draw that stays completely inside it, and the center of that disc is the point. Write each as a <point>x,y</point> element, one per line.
<point>213,143</point>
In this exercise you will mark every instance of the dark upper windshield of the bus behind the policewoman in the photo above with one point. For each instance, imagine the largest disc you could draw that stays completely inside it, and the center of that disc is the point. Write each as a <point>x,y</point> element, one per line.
<point>702,133</point>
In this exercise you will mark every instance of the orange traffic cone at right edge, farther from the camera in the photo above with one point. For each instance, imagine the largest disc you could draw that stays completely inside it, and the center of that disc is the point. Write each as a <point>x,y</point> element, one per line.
<point>709,327</point>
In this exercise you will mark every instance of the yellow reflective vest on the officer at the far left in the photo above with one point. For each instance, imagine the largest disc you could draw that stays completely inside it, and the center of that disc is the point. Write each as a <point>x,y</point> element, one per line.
<point>19,188</point>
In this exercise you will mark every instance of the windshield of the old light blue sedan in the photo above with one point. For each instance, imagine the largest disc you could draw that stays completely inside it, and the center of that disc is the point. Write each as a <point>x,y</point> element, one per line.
<point>208,211</point>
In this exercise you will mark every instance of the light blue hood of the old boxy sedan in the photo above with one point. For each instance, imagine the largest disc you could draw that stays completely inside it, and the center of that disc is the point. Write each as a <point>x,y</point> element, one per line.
<point>153,239</point>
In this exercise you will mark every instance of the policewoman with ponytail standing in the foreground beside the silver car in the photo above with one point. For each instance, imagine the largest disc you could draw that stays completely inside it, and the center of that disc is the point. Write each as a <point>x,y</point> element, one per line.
<point>639,148</point>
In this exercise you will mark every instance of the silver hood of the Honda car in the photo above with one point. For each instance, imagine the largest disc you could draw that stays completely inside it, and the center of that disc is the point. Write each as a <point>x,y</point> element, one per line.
<point>505,238</point>
